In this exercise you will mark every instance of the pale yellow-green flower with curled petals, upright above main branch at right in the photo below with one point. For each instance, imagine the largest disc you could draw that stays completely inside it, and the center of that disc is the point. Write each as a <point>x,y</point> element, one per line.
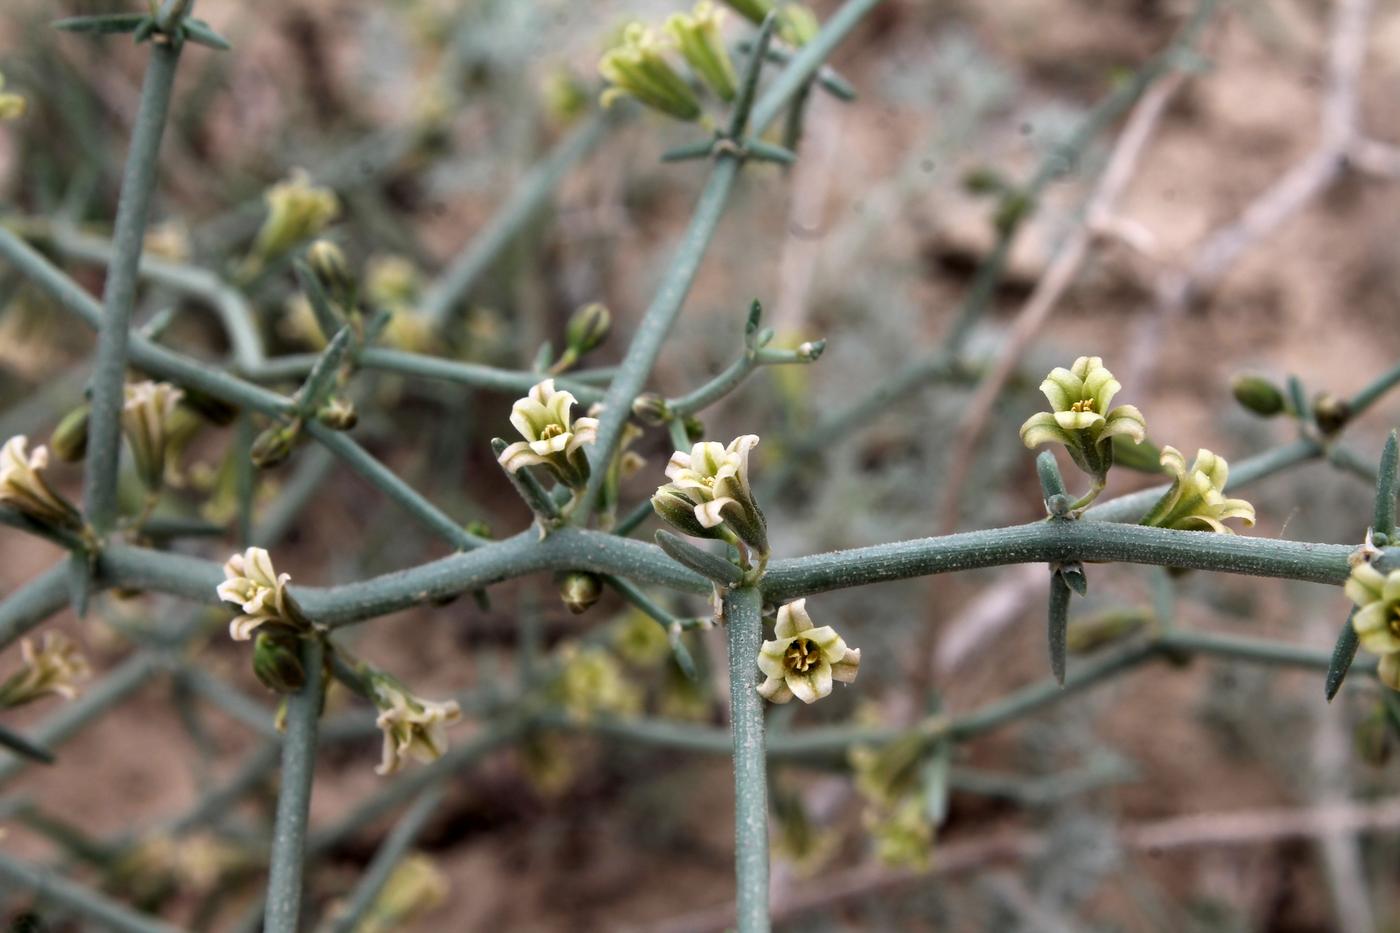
<point>1081,418</point>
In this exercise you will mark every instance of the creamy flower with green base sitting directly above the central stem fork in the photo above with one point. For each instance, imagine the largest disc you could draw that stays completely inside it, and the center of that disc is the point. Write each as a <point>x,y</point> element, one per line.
<point>709,494</point>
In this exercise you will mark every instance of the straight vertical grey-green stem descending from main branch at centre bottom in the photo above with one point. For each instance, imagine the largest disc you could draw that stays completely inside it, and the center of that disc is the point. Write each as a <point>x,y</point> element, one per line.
<point>743,614</point>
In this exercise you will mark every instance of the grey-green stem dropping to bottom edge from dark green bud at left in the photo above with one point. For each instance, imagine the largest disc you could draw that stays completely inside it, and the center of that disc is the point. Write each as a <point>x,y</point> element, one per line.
<point>299,760</point>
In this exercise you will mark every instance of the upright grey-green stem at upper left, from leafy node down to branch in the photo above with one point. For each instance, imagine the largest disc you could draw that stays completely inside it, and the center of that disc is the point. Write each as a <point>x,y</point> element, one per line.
<point>120,298</point>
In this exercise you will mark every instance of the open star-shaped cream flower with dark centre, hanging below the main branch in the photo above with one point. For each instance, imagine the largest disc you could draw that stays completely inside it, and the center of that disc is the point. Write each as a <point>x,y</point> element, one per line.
<point>804,661</point>
